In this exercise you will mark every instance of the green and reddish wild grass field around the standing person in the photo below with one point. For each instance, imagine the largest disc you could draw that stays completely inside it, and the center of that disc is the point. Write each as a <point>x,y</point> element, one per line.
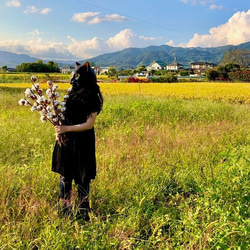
<point>173,173</point>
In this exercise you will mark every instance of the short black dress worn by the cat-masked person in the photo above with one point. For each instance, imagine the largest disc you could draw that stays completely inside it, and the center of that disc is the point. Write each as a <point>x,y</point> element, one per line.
<point>77,159</point>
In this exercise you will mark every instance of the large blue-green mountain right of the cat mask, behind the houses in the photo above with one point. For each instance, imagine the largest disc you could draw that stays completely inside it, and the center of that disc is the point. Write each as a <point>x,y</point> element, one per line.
<point>132,57</point>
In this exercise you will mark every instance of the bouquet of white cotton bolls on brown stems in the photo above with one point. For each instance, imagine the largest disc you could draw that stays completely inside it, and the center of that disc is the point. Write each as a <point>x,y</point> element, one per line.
<point>50,108</point>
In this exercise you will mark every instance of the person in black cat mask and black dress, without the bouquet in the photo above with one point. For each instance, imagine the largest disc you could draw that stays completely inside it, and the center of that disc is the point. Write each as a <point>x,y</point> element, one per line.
<point>76,159</point>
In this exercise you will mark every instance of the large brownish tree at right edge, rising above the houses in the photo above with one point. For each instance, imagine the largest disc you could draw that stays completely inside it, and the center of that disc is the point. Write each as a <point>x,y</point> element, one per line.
<point>240,57</point>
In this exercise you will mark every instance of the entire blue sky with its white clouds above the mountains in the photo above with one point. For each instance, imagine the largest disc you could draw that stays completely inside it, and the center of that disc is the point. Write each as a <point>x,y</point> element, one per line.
<point>79,29</point>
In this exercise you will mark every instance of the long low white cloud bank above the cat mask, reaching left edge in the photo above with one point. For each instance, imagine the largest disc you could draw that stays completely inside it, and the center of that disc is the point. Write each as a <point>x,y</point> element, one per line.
<point>76,49</point>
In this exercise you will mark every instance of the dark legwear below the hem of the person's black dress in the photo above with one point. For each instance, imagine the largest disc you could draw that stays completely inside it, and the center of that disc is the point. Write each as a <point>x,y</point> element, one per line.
<point>82,189</point>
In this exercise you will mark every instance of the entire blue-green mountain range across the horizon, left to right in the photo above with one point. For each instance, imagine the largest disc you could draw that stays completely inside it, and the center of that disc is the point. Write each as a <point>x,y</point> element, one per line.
<point>133,57</point>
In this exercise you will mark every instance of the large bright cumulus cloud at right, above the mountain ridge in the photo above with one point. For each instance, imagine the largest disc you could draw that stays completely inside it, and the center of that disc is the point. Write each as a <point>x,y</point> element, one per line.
<point>234,32</point>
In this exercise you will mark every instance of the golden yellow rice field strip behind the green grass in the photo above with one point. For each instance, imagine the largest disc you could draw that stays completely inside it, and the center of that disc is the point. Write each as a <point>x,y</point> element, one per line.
<point>230,92</point>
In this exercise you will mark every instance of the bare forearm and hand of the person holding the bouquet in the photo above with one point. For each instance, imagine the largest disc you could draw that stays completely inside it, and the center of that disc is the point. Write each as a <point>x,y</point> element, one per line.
<point>77,128</point>
